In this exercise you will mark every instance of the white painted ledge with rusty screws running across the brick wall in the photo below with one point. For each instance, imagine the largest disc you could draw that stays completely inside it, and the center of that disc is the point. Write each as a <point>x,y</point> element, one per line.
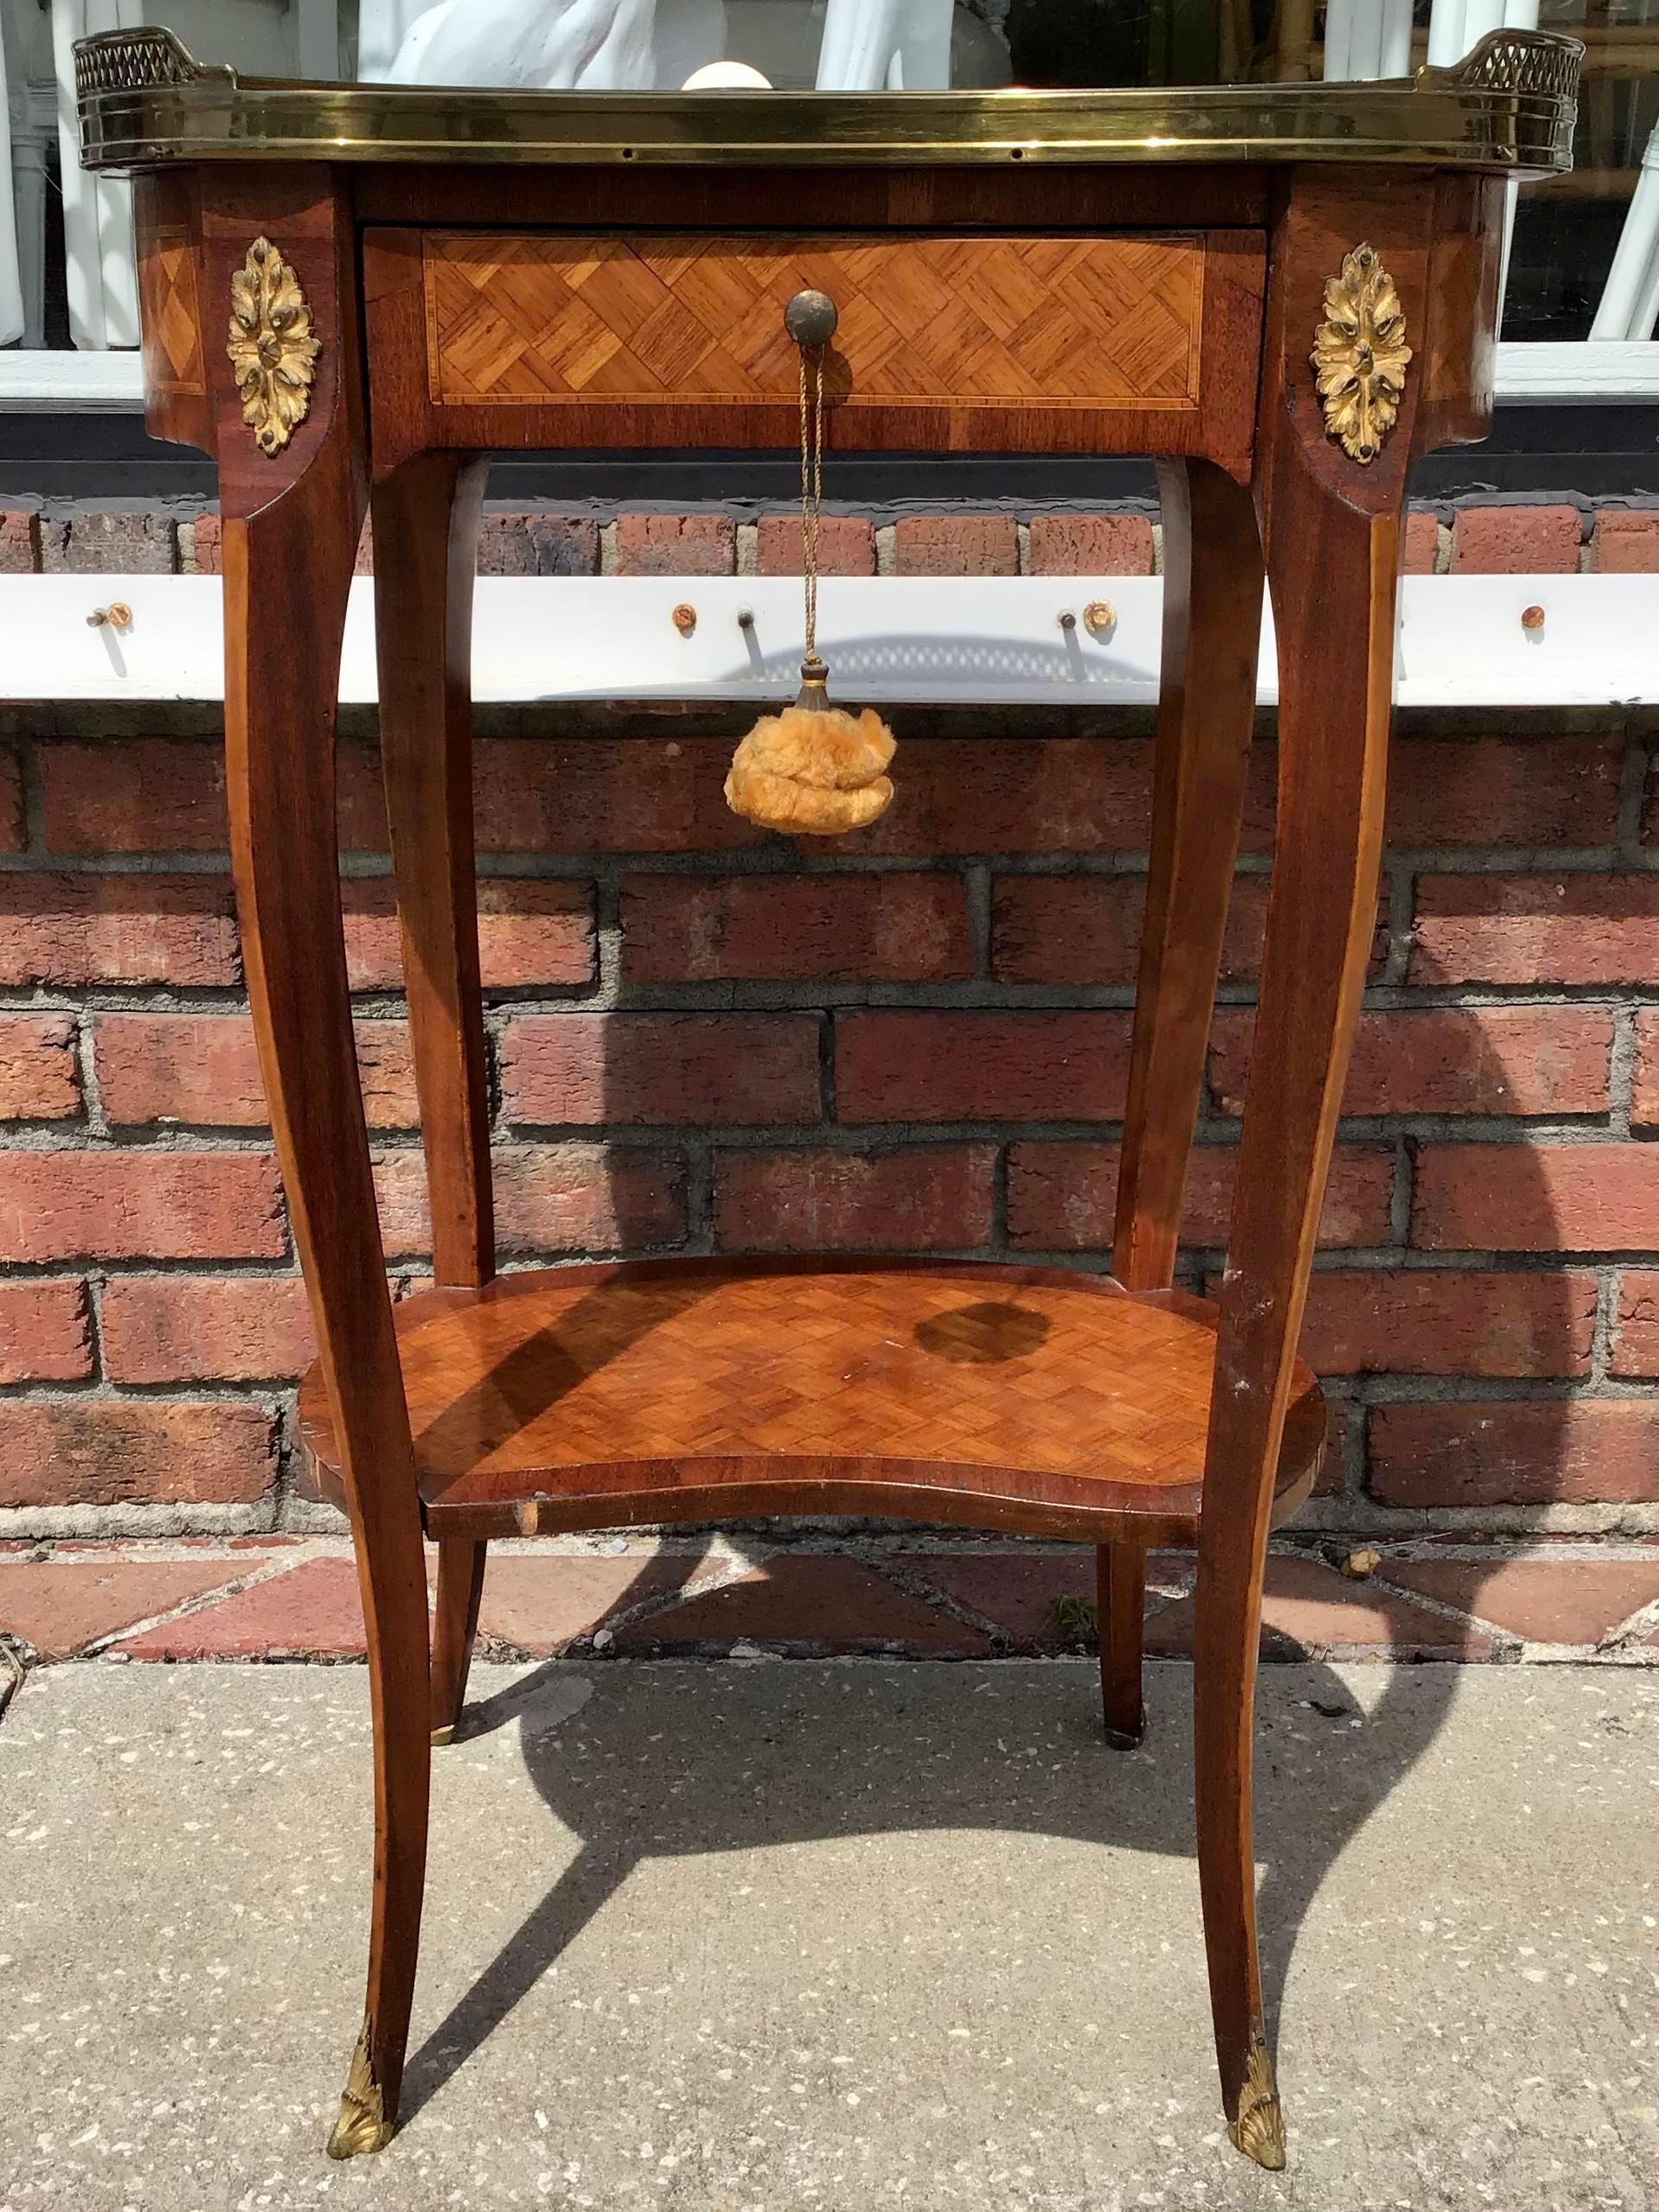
<point>906,640</point>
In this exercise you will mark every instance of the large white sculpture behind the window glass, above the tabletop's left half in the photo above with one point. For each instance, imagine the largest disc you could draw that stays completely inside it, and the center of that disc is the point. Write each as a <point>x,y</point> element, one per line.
<point>547,45</point>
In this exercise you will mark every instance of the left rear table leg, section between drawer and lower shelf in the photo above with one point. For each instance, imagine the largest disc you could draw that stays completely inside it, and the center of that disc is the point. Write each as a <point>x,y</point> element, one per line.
<point>426,559</point>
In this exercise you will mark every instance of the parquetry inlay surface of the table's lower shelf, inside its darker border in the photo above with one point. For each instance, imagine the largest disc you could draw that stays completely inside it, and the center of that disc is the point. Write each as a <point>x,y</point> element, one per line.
<point>897,1370</point>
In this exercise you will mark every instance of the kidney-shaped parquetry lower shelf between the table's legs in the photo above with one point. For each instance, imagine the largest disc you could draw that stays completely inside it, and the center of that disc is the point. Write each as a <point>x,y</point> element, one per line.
<point>700,1390</point>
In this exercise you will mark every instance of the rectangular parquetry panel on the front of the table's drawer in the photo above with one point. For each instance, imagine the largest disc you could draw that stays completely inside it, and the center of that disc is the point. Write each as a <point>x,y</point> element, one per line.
<point>1058,322</point>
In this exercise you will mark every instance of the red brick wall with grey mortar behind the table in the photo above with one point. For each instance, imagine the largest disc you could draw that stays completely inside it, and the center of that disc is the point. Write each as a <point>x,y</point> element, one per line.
<point>705,1041</point>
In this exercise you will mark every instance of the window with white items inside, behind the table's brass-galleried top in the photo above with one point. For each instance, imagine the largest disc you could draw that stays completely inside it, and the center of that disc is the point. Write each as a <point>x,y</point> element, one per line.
<point>61,258</point>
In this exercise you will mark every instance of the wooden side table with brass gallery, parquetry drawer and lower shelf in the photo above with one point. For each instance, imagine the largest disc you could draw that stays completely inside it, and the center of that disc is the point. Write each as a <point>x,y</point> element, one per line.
<point>357,293</point>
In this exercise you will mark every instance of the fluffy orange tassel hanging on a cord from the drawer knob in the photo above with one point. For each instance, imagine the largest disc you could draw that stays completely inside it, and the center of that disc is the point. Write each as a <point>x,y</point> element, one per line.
<point>813,771</point>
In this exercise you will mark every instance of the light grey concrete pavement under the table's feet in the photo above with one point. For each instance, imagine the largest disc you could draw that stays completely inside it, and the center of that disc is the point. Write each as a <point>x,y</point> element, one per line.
<point>844,1934</point>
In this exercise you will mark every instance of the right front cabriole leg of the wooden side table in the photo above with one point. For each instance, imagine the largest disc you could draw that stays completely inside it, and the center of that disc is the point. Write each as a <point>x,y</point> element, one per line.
<point>1331,534</point>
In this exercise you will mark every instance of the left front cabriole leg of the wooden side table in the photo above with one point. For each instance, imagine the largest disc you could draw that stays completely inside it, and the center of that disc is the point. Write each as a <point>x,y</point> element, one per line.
<point>291,530</point>
